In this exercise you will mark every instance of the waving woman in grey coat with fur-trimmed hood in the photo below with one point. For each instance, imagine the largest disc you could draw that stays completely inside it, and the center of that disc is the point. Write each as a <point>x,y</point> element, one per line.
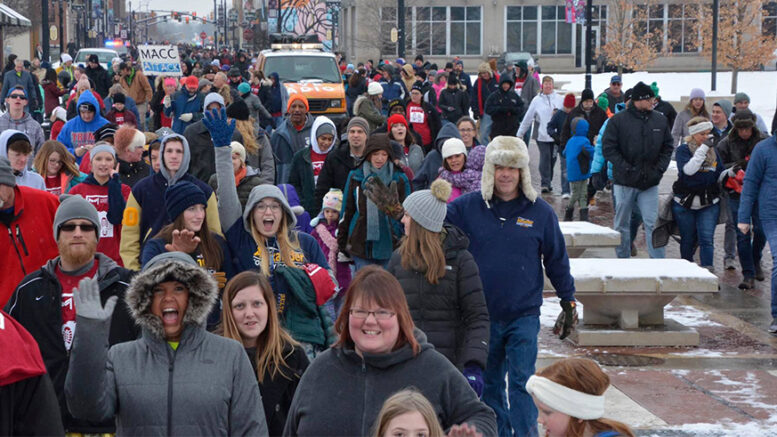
<point>177,379</point>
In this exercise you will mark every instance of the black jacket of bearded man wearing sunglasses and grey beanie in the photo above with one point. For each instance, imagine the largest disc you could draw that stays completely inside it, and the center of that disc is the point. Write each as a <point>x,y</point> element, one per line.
<point>37,305</point>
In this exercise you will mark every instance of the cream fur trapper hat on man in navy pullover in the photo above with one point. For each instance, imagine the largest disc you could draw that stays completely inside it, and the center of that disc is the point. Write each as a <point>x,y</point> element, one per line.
<point>506,151</point>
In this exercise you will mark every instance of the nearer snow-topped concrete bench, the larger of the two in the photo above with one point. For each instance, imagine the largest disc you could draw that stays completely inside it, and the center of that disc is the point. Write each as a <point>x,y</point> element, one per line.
<point>623,300</point>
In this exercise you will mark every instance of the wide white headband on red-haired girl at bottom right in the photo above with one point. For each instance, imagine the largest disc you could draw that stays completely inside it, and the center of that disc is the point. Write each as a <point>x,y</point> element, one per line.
<point>565,400</point>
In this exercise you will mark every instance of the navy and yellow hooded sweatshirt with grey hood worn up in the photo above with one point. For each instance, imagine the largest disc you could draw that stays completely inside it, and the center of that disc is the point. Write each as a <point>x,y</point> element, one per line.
<point>146,206</point>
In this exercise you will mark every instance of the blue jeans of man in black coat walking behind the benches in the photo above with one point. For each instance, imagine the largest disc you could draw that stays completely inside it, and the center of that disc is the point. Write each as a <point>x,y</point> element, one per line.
<point>647,201</point>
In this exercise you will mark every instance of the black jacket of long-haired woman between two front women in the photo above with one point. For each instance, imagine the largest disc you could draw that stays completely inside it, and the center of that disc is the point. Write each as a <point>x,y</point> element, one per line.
<point>277,393</point>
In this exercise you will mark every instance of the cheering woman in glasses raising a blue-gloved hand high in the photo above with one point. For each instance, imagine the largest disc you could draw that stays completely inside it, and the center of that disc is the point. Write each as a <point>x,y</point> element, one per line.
<point>262,237</point>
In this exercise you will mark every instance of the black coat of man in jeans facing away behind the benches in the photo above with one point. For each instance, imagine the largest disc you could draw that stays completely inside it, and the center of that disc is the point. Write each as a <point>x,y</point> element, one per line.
<point>639,145</point>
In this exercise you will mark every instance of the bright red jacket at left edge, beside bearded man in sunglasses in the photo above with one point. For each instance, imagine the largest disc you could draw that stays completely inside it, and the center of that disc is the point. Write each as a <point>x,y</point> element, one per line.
<point>31,241</point>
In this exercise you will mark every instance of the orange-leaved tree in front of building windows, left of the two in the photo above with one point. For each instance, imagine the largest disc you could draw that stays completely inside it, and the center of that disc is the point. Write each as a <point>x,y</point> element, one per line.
<point>631,40</point>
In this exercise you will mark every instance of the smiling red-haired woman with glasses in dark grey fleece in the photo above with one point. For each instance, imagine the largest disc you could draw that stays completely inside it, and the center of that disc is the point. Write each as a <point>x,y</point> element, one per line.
<point>378,353</point>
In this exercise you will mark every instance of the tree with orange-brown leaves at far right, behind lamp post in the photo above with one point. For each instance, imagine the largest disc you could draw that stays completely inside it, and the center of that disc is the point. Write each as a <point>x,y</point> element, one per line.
<point>741,45</point>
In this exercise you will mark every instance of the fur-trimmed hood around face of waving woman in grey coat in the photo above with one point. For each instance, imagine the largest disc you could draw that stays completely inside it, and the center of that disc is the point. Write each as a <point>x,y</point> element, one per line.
<point>203,293</point>
